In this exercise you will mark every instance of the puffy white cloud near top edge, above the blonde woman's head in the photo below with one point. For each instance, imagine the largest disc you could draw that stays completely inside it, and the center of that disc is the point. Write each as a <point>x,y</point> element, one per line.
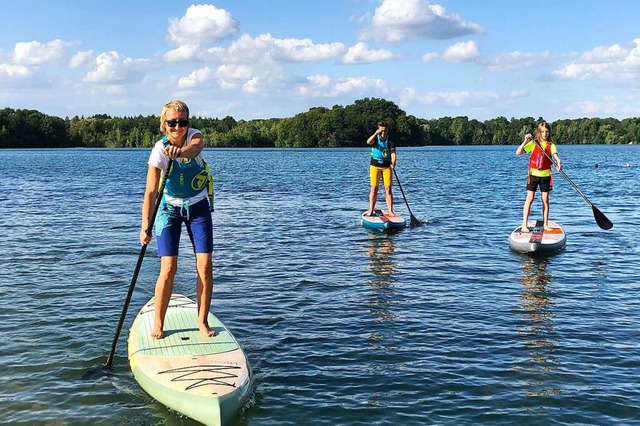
<point>202,23</point>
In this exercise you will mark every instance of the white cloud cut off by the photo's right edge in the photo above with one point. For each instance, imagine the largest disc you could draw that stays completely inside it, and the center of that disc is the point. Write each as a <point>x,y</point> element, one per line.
<point>610,63</point>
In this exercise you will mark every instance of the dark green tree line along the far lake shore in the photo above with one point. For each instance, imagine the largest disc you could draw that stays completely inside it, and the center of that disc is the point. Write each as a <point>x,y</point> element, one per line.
<point>347,126</point>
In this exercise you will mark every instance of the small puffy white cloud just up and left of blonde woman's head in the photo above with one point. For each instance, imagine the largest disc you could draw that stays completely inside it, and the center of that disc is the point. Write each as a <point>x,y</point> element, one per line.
<point>110,67</point>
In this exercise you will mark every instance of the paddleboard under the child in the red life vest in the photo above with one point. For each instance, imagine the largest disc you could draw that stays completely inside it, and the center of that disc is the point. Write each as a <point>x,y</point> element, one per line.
<point>537,240</point>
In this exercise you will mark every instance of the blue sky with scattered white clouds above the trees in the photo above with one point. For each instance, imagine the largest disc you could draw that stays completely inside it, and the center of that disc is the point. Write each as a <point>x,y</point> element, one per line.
<point>253,59</point>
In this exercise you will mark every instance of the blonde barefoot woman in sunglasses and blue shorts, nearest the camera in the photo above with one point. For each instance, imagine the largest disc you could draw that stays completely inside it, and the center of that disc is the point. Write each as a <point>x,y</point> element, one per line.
<point>188,200</point>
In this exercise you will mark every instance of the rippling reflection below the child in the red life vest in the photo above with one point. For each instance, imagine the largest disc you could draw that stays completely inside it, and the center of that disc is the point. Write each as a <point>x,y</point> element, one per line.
<point>536,329</point>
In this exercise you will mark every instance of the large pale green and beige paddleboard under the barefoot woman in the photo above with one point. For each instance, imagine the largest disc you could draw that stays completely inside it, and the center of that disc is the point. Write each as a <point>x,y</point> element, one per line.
<point>205,378</point>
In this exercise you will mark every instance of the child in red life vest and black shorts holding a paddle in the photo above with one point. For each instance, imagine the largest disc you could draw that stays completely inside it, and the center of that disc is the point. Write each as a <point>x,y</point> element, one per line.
<point>539,170</point>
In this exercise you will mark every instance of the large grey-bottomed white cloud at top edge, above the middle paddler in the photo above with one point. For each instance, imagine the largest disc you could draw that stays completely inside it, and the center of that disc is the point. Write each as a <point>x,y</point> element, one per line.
<point>397,20</point>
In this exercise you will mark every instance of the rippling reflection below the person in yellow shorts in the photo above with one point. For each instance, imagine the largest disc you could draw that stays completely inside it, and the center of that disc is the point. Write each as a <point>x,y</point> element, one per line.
<point>382,266</point>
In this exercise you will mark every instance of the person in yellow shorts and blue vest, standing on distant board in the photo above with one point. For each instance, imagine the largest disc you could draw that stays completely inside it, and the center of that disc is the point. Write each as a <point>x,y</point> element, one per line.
<point>383,160</point>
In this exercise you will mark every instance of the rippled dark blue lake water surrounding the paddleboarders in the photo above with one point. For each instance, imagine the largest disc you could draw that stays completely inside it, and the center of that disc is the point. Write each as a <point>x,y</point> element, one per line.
<point>437,324</point>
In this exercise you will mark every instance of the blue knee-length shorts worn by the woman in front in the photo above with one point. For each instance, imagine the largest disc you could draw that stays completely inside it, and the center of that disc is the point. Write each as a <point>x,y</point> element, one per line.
<point>197,219</point>
